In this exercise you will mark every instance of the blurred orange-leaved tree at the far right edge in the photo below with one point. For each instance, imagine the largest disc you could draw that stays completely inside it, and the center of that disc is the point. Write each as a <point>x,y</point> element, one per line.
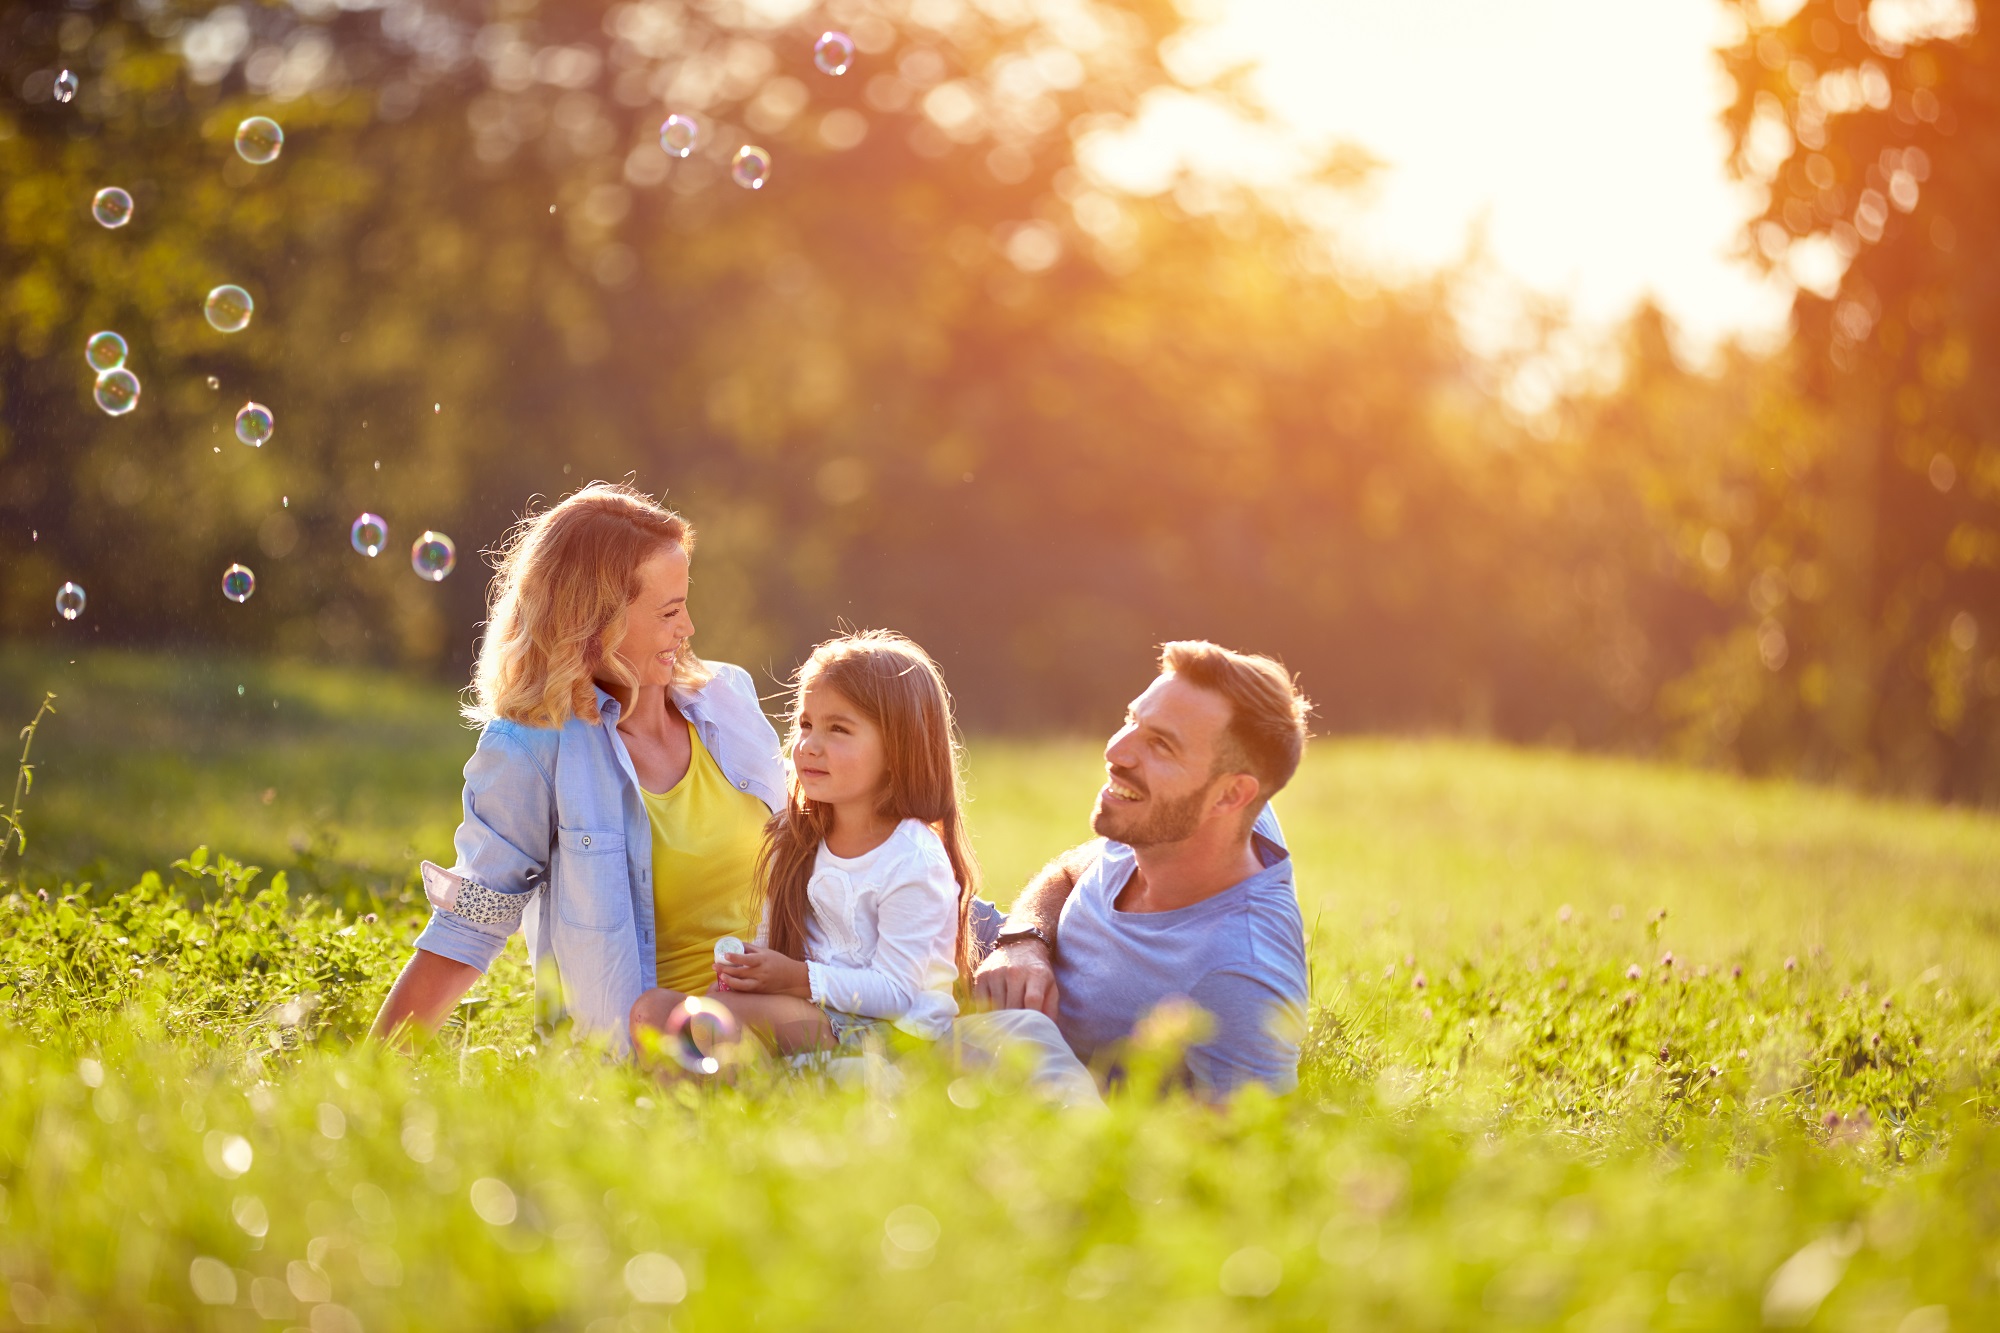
<point>1875,571</point>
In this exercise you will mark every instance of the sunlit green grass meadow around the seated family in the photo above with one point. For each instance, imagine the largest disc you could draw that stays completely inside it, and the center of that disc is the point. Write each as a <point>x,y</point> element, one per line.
<point>1501,1124</point>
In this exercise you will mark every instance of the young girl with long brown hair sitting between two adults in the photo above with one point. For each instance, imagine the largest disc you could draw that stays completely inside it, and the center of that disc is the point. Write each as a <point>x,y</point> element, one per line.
<point>867,876</point>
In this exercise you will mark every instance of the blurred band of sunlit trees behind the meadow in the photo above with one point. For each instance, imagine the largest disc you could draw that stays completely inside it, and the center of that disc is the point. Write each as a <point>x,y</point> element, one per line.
<point>947,381</point>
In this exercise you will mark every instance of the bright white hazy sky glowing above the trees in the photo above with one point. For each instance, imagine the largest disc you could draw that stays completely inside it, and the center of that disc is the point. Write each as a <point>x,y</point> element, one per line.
<point>1579,133</point>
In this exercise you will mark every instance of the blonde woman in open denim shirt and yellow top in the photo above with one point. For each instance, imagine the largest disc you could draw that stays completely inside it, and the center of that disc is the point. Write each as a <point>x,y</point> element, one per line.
<point>621,786</point>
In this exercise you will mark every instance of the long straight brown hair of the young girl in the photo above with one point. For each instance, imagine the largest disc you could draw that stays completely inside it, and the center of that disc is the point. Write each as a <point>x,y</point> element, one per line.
<point>897,688</point>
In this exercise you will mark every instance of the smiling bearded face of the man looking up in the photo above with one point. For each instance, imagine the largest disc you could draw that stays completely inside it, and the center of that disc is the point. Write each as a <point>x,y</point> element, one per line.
<point>1161,766</point>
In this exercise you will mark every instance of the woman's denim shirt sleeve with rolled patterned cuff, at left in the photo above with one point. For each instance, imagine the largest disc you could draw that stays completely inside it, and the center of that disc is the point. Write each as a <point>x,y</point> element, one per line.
<point>503,850</point>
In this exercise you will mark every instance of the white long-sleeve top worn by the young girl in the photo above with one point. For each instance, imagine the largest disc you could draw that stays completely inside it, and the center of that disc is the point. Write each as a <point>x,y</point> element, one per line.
<point>885,932</point>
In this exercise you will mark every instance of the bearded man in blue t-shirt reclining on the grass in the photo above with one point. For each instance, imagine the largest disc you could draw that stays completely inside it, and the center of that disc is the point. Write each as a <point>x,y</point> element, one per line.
<point>1187,896</point>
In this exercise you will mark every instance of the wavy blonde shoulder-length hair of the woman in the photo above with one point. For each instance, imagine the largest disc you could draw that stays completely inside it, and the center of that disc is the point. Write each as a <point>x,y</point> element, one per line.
<point>557,609</point>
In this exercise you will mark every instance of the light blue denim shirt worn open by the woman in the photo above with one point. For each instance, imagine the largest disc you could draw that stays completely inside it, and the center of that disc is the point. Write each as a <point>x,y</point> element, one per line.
<point>559,836</point>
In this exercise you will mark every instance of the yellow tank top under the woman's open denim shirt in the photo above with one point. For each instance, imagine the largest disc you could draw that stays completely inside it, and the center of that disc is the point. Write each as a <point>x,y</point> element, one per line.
<point>705,842</point>
